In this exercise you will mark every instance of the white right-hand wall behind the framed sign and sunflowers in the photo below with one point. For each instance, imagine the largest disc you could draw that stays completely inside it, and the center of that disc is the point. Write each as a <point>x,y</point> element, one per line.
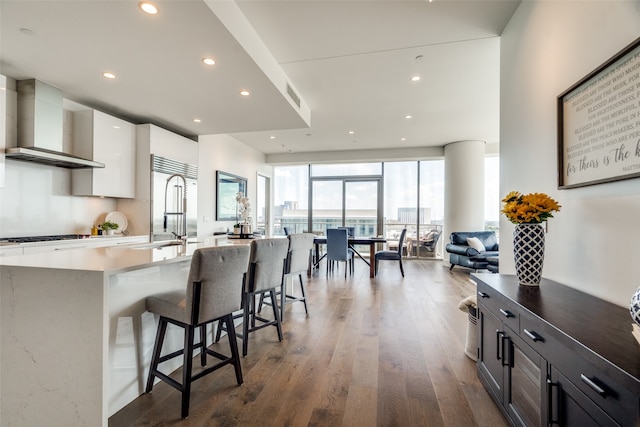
<point>592,243</point>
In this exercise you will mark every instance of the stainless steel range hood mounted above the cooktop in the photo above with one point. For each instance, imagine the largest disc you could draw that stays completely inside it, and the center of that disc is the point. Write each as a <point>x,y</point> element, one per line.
<point>40,128</point>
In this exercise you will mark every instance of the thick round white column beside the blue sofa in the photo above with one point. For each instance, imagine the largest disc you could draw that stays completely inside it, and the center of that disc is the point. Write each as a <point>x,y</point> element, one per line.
<point>464,188</point>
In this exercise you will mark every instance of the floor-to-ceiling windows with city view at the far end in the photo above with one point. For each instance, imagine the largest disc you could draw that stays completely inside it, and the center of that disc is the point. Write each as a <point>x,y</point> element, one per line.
<point>377,199</point>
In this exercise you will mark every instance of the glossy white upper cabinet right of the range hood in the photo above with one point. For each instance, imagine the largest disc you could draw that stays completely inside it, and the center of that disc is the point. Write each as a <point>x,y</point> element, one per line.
<point>109,140</point>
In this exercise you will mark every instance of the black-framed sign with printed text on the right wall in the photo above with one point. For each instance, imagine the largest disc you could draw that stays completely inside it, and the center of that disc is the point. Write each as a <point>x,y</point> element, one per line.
<point>599,124</point>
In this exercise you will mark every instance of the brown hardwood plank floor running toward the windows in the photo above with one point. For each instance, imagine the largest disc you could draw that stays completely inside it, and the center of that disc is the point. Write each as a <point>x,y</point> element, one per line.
<point>387,351</point>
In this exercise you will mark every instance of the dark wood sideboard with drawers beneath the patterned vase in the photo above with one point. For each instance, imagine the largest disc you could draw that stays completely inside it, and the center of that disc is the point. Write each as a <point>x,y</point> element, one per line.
<point>552,355</point>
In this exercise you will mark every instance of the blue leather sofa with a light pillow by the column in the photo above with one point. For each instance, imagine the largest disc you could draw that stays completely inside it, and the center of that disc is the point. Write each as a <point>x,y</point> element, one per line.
<point>460,253</point>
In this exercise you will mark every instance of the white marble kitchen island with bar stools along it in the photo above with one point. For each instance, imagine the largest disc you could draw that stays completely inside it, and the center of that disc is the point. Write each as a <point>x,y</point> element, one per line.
<point>75,336</point>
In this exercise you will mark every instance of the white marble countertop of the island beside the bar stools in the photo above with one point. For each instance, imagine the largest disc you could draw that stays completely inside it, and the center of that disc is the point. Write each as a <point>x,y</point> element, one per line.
<point>114,259</point>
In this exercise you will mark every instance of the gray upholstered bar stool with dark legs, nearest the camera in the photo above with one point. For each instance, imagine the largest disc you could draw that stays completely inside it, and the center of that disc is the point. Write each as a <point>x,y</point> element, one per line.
<point>215,276</point>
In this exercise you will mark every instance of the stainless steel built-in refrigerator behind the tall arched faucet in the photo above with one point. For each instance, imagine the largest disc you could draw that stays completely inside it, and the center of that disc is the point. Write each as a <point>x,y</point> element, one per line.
<point>174,199</point>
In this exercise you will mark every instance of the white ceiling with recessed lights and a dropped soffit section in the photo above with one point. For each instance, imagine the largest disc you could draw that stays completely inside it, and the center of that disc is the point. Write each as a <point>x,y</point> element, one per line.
<point>349,61</point>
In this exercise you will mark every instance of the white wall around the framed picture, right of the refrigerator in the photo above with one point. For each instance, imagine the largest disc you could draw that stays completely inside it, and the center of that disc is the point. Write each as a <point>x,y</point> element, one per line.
<point>225,153</point>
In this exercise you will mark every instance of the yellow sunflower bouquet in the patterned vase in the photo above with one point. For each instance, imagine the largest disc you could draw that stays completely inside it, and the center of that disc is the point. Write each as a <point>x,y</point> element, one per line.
<point>533,208</point>
